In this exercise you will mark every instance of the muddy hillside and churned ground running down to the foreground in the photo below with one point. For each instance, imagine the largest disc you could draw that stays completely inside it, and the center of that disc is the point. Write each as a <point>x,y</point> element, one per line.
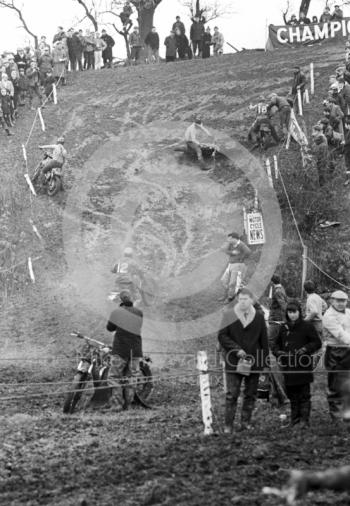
<point>125,184</point>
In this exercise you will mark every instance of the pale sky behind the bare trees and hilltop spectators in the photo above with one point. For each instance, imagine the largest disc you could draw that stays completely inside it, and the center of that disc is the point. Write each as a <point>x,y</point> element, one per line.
<point>245,26</point>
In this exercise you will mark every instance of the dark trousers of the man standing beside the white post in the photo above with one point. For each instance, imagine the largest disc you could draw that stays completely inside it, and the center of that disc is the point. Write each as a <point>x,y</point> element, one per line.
<point>233,385</point>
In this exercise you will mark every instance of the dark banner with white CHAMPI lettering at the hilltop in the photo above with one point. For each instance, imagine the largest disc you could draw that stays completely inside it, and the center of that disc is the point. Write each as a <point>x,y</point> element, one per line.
<point>301,35</point>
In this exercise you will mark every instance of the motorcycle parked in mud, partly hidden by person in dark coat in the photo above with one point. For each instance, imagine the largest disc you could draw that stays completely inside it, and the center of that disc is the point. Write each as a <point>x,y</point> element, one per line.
<point>94,365</point>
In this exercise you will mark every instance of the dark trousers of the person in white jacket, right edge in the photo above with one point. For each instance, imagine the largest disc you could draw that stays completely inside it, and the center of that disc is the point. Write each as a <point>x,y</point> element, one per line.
<point>337,363</point>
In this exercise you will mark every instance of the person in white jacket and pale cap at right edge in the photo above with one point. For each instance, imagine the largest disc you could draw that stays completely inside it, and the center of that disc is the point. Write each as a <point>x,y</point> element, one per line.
<point>336,328</point>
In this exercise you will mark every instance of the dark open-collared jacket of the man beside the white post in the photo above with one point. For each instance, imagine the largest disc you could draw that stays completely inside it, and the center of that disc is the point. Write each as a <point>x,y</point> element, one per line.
<point>250,335</point>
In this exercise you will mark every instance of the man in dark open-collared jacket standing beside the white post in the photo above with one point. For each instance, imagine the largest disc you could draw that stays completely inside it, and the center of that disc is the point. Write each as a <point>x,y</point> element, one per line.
<point>243,335</point>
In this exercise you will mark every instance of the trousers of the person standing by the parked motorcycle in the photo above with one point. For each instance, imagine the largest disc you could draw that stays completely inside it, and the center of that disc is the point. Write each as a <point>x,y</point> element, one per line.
<point>122,371</point>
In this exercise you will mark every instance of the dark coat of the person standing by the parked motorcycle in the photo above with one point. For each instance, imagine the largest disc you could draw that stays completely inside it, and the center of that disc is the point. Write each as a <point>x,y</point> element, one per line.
<point>126,322</point>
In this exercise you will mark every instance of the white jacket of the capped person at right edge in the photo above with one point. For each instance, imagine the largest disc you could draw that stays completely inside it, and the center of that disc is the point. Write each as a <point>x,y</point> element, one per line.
<point>336,327</point>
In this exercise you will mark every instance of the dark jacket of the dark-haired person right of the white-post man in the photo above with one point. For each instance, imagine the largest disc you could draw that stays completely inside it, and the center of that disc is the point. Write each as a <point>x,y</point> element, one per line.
<point>303,337</point>
